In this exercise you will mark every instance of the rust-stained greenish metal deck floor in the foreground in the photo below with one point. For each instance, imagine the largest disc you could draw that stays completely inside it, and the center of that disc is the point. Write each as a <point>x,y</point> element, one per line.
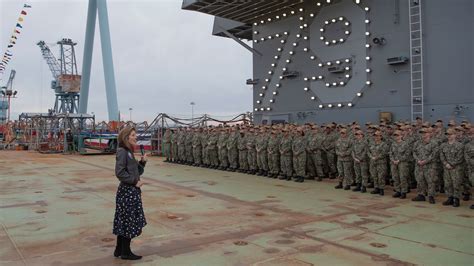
<point>58,210</point>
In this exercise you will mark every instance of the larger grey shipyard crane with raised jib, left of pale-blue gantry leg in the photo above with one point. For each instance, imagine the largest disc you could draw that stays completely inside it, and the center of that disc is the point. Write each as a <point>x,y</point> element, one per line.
<point>67,81</point>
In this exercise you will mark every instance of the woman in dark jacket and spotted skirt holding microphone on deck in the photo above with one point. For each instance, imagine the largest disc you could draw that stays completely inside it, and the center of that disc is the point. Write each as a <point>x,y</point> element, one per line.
<point>129,216</point>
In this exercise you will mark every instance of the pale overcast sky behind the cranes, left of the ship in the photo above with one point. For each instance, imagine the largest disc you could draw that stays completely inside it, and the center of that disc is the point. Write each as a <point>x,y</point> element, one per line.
<point>164,58</point>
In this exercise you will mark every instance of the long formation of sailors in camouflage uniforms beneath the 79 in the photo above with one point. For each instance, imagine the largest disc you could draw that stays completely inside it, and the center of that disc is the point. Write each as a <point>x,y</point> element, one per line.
<point>430,158</point>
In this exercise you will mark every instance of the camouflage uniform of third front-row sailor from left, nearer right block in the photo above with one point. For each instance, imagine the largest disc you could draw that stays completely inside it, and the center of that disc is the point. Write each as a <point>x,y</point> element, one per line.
<point>379,164</point>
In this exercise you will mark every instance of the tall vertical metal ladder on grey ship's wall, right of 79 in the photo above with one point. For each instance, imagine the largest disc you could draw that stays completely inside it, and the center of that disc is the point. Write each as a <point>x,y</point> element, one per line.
<point>416,59</point>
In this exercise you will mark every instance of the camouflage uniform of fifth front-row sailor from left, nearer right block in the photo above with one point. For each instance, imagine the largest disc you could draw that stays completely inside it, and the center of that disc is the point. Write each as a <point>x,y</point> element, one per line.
<point>425,176</point>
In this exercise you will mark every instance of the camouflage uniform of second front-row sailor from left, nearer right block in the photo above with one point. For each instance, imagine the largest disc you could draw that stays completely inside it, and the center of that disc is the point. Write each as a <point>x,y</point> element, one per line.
<point>361,169</point>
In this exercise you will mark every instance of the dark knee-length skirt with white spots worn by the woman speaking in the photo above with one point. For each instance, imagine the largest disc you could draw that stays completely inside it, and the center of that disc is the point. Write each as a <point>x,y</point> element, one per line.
<point>129,216</point>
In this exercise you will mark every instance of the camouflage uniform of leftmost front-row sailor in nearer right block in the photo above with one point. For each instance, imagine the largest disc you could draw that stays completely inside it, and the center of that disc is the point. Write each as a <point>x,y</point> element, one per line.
<point>345,166</point>
